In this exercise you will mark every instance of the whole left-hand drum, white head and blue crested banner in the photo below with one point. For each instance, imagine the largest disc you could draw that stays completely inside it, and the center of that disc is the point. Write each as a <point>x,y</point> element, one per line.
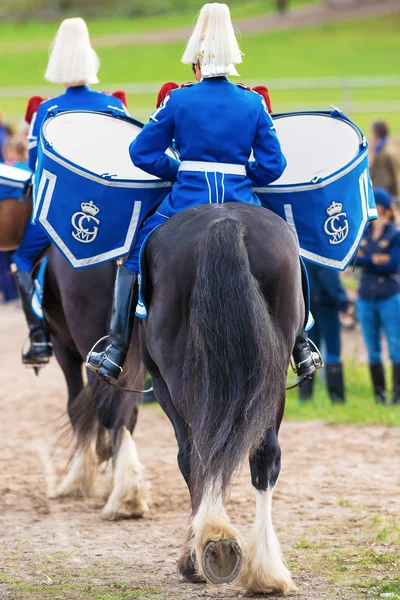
<point>89,196</point>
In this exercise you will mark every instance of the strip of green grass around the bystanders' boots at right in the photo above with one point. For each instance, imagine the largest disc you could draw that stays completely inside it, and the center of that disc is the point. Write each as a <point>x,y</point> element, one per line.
<point>360,408</point>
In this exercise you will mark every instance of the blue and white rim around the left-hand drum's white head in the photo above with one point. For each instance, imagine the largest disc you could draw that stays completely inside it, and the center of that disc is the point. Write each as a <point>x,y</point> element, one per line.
<point>116,182</point>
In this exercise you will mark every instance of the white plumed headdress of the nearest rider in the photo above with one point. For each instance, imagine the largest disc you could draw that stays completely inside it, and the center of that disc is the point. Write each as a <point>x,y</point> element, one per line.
<point>213,42</point>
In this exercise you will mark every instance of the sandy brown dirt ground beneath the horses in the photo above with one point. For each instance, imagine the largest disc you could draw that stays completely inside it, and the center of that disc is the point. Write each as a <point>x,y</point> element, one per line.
<point>335,509</point>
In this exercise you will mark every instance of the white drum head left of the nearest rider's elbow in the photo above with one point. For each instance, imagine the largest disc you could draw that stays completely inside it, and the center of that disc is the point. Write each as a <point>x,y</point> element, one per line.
<point>99,143</point>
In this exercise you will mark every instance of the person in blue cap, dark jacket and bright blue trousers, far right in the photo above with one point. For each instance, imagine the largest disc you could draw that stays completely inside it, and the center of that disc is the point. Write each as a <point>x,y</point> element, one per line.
<point>379,293</point>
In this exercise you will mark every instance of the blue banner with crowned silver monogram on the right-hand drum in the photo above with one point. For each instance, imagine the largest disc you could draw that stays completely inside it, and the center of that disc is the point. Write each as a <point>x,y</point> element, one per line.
<point>329,215</point>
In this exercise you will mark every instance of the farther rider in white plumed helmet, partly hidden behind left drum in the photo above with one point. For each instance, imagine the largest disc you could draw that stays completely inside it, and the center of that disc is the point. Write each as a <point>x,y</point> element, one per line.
<point>75,64</point>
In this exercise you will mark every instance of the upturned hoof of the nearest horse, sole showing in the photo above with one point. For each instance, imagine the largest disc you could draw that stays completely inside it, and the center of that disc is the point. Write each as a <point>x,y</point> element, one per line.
<point>222,561</point>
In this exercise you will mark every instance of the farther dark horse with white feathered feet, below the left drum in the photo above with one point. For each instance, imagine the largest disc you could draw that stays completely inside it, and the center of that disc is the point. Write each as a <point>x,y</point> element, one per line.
<point>77,307</point>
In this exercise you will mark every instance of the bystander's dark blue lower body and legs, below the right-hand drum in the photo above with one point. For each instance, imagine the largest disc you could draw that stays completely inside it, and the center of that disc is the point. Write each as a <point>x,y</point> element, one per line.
<point>327,298</point>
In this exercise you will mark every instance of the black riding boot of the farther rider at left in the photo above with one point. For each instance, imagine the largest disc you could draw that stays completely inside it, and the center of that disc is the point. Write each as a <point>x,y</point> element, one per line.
<point>40,349</point>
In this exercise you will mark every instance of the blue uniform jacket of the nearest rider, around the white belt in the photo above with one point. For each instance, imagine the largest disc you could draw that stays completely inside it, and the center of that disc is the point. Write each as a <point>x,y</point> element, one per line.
<point>212,121</point>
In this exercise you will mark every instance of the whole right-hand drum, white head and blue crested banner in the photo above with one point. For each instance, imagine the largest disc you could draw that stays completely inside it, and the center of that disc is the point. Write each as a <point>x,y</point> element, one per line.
<point>325,192</point>
